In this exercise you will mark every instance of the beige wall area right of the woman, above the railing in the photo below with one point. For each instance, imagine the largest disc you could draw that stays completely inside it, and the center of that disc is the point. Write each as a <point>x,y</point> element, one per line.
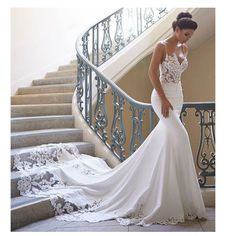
<point>199,79</point>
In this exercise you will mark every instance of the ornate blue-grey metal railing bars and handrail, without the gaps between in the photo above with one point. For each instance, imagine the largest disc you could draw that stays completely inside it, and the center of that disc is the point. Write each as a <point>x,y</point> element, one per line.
<point>88,73</point>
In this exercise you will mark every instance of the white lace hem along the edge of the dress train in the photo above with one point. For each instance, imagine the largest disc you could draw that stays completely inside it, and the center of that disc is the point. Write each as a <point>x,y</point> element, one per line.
<point>68,201</point>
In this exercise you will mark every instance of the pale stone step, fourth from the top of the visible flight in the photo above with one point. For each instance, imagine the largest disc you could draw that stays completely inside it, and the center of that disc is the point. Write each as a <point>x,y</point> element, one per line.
<point>59,80</point>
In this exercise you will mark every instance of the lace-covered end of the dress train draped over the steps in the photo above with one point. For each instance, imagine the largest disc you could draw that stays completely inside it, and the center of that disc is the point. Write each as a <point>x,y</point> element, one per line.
<point>37,178</point>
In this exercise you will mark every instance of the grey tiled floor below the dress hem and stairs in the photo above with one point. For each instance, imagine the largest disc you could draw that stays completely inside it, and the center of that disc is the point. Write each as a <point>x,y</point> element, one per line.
<point>53,225</point>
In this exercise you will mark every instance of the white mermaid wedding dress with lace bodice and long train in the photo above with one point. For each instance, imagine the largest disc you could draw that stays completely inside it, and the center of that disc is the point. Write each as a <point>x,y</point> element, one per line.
<point>157,184</point>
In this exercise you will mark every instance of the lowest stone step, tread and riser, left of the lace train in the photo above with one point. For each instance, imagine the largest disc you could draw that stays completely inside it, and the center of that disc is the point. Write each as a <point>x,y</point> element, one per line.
<point>26,210</point>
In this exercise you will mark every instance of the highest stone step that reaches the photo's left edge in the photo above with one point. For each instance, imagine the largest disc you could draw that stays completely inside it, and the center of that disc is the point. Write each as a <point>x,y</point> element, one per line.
<point>51,98</point>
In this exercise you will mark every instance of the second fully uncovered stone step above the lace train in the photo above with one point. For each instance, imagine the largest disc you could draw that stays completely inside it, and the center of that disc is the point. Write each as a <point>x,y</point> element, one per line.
<point>41,122</point>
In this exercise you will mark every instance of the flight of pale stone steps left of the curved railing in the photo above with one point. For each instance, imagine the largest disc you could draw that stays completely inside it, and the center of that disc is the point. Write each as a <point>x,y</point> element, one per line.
<point>42,114</point>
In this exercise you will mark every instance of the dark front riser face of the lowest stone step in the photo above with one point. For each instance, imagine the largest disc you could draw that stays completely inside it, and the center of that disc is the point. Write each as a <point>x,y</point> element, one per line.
<point>31,213</point>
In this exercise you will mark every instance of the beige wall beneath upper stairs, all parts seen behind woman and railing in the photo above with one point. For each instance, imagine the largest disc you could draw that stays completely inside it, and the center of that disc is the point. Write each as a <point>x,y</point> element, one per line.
<point>198,85</point>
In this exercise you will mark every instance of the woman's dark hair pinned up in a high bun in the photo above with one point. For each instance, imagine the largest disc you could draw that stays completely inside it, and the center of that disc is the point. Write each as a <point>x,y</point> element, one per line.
<point>184,21</point>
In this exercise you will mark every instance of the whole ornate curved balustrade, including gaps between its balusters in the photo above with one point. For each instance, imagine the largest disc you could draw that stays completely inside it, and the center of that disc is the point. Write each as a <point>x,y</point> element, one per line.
<point>97,45</point>
